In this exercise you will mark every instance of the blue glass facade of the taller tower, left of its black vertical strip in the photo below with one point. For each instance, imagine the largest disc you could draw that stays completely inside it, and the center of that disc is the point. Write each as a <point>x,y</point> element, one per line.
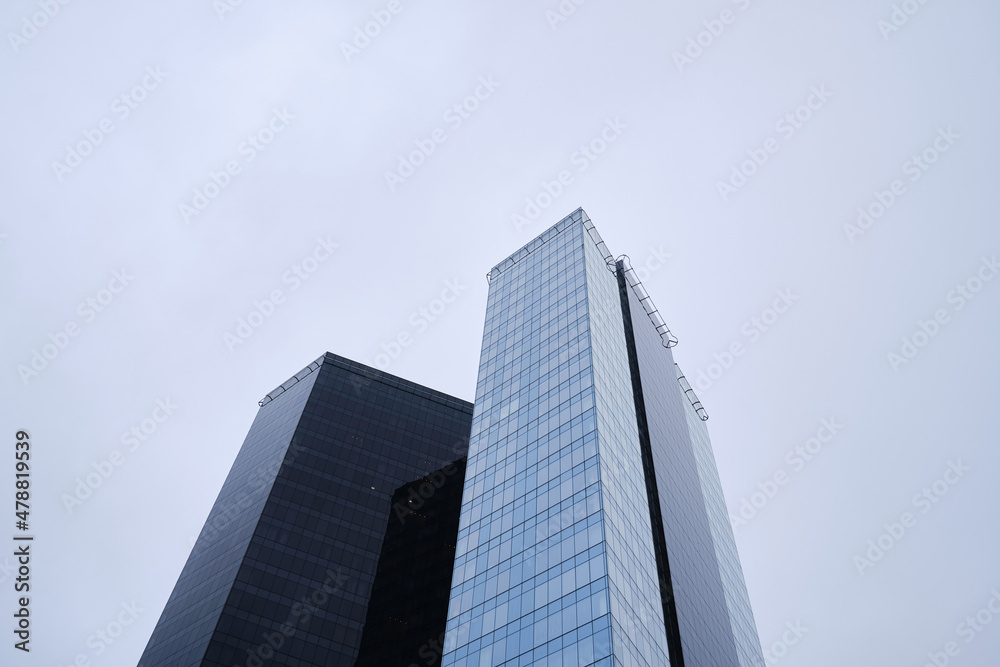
<point>545,512</point>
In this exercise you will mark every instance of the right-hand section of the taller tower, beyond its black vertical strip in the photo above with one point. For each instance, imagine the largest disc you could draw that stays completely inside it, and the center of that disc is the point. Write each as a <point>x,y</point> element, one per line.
<point>708,592</point>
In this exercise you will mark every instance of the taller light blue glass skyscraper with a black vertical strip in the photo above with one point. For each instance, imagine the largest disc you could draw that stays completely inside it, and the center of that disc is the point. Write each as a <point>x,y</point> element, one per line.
<point>593,529</point>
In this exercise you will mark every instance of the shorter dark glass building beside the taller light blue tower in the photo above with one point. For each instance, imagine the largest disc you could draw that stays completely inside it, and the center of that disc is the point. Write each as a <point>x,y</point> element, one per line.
<point>284,570</point>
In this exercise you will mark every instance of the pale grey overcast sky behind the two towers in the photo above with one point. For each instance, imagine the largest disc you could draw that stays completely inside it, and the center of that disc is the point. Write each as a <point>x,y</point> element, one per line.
<point>169,170</point>
